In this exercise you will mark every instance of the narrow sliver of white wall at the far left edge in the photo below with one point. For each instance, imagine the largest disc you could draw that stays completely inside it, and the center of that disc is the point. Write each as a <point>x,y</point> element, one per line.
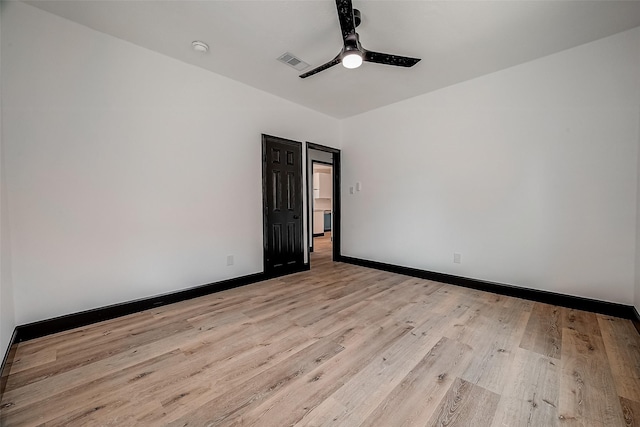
<point>7,318</point>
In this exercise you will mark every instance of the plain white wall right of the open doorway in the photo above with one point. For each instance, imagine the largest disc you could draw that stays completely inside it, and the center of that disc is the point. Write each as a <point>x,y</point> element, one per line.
<point>530,173</point>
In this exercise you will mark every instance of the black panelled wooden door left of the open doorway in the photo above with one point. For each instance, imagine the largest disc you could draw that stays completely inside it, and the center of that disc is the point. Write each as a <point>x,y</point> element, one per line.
<point>282,202</point>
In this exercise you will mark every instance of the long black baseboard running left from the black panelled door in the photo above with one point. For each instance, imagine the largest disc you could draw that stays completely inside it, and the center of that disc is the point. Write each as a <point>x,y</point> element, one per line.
<point>84,318</point>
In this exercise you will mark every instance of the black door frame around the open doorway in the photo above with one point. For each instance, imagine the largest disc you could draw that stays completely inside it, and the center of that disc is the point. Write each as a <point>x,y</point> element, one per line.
<point>335,208</point>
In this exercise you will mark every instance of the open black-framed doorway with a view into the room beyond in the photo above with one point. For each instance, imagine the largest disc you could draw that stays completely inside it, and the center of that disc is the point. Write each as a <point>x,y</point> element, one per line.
<point>323,172</point>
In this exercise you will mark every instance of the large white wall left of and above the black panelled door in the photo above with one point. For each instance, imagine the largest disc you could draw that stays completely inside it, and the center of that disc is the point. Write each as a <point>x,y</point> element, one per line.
<point>129,174</point>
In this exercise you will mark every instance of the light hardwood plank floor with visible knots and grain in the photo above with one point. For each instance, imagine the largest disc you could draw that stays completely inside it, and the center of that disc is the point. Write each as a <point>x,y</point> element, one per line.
<point>341,346</point>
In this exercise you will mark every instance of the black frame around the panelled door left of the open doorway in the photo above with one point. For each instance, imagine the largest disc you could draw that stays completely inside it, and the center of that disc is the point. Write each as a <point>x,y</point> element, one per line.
<point>268,271</point>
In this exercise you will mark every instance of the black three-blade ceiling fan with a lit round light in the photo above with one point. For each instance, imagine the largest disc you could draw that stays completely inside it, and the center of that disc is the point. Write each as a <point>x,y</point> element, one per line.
<point>352,54</point>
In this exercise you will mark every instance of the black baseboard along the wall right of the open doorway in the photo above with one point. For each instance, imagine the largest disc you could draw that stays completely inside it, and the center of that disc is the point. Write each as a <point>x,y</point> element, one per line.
<point>579,303</point>
